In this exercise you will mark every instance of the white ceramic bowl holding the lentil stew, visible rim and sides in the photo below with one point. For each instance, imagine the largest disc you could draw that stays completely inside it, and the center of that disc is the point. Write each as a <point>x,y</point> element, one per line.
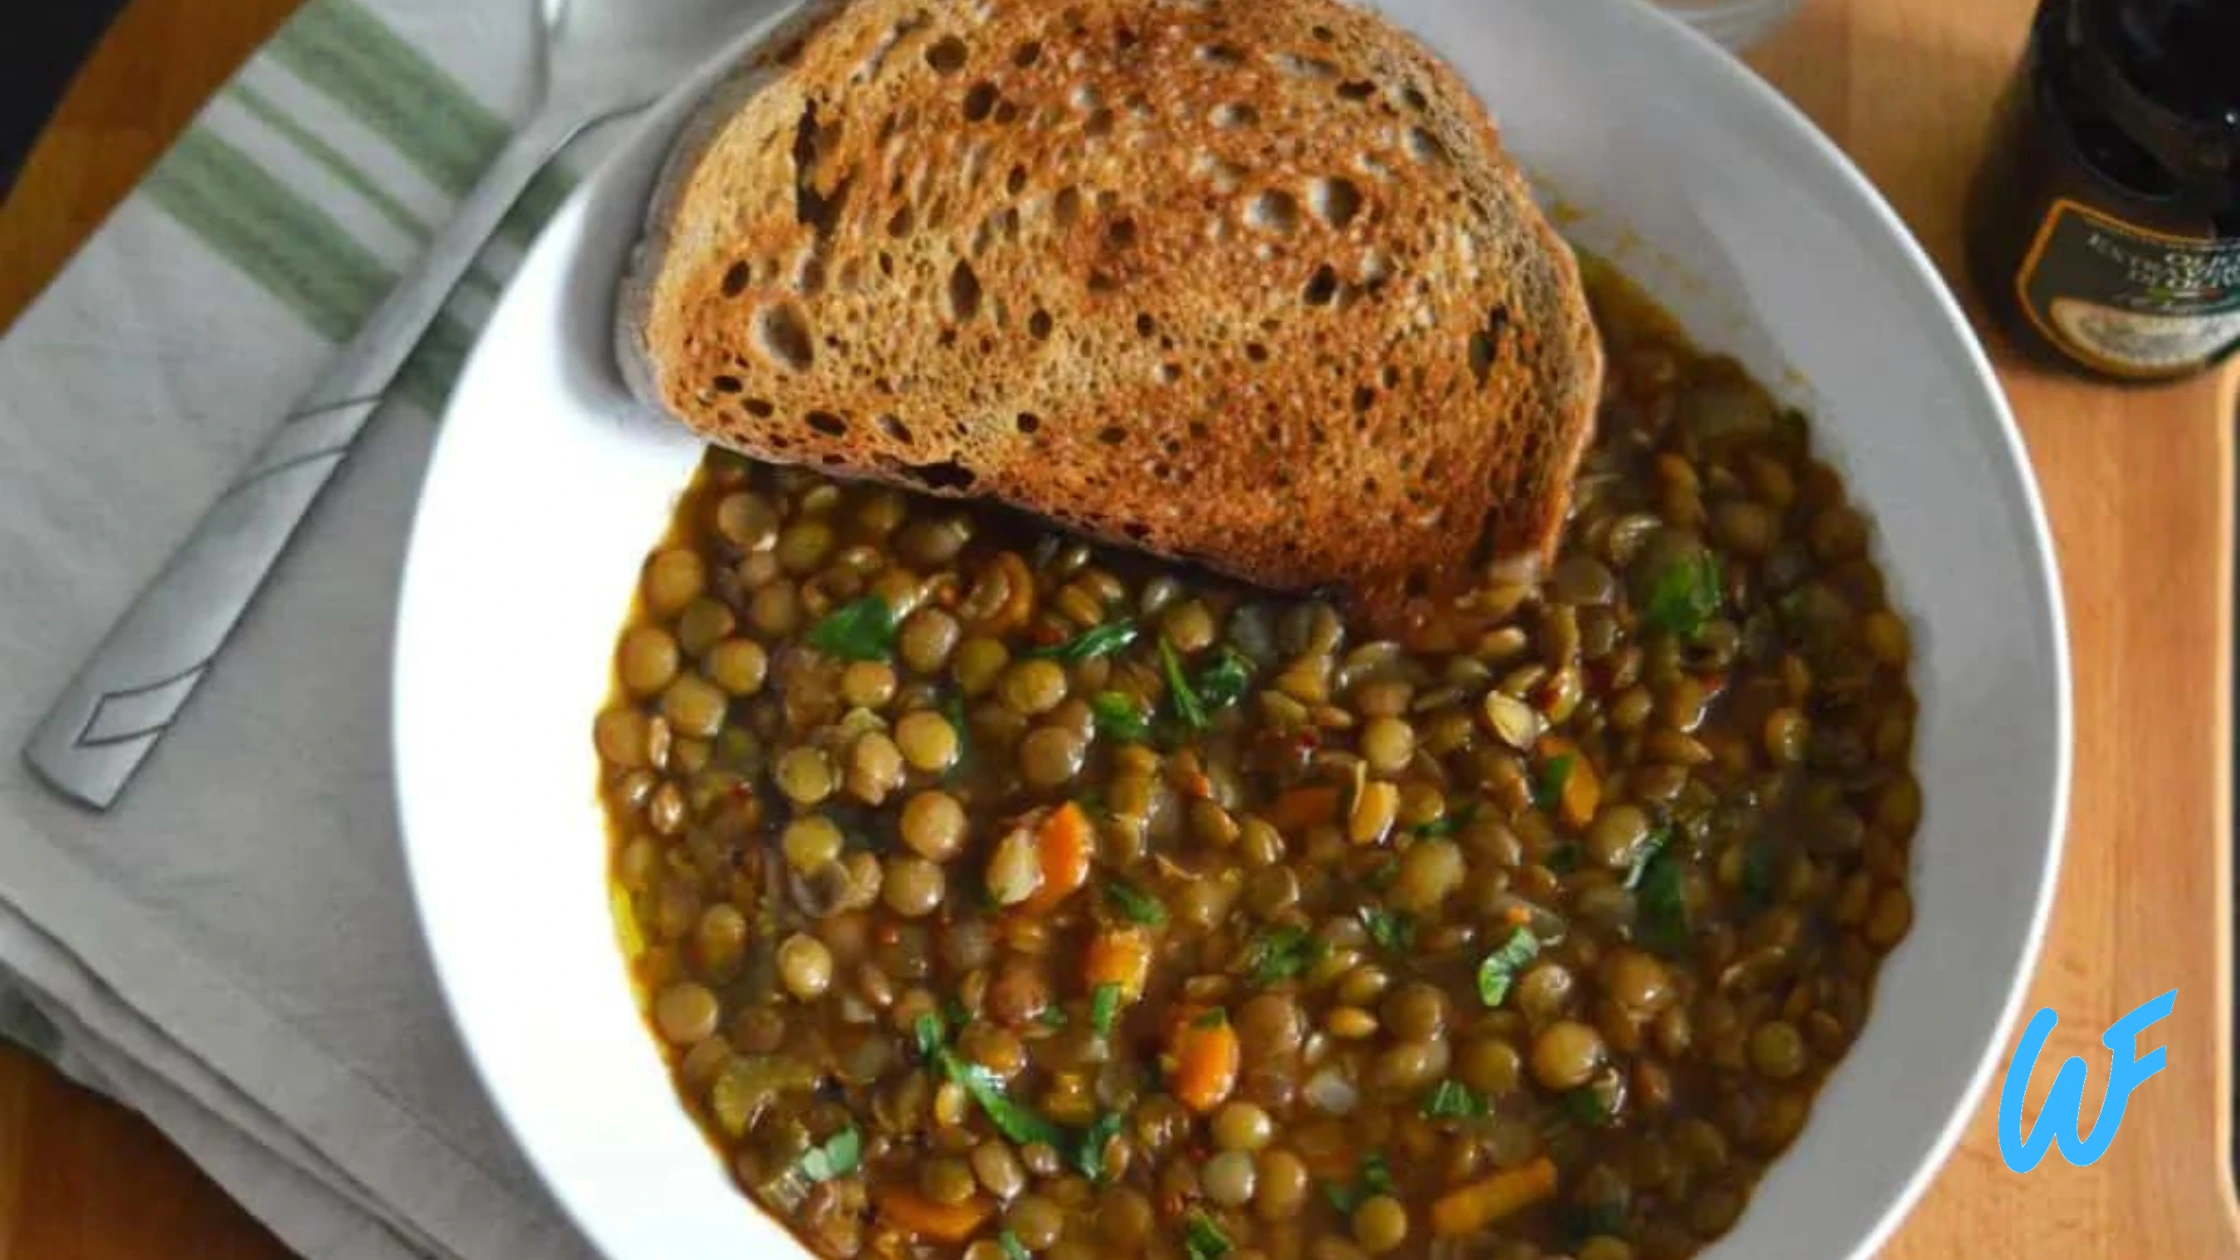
<point>550,488</point>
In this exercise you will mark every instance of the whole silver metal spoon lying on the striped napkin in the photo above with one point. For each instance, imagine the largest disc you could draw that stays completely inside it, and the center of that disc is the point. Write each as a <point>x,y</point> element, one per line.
<point>599,59</point>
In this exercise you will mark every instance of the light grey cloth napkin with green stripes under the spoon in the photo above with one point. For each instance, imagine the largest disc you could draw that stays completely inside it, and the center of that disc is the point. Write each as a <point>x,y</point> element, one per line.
<point>234,949</point>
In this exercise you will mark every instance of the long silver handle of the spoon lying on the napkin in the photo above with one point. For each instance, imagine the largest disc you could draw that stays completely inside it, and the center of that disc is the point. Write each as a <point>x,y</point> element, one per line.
<point>138,680</point>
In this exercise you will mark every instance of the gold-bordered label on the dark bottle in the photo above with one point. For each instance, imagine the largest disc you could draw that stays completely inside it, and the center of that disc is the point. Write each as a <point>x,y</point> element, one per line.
<point>2131,302</point>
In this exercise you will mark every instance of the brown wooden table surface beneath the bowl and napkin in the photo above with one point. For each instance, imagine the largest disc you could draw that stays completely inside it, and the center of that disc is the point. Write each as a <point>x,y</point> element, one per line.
<point>2140,490</point>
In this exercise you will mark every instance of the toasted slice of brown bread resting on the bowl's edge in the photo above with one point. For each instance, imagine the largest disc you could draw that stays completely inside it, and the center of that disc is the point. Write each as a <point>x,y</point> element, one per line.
<point>1238,281</point>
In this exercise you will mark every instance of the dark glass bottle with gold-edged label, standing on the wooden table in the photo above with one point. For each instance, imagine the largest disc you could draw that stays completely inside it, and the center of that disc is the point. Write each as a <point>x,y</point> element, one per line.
<point>2104,225</point>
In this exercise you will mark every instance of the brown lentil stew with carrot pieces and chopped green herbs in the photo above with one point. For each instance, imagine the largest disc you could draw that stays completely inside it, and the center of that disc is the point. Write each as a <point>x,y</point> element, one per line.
<point>998,896</point>
